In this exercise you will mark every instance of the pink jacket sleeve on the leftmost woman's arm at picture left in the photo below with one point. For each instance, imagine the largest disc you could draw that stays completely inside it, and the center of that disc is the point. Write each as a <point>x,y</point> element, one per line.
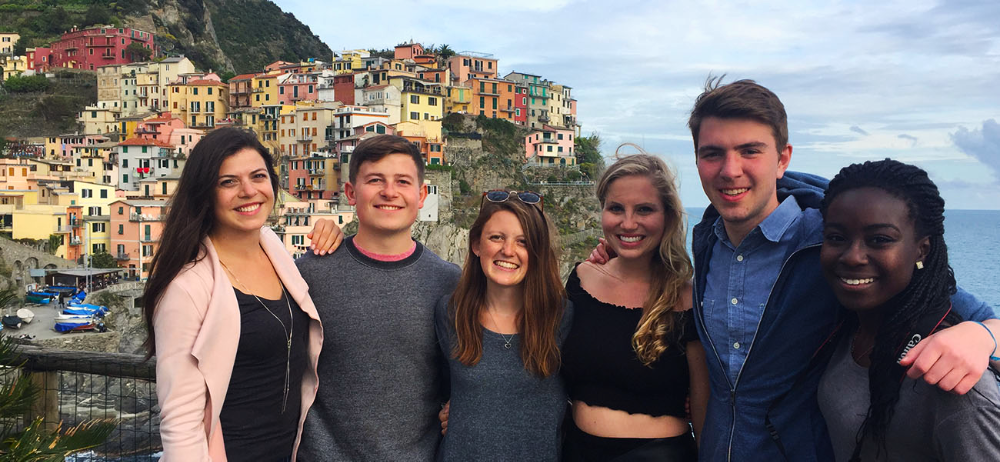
<point>180,386</point>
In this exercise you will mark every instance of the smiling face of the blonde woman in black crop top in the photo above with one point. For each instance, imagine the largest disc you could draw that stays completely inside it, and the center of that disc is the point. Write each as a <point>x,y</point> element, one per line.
<point>633,217</point>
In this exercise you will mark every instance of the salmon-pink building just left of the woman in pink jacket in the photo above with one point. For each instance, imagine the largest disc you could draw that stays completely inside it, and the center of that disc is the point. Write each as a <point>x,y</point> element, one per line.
<point>136,226</point>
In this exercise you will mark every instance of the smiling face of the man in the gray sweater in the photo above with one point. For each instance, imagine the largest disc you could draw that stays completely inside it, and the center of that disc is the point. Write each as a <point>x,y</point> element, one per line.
<point>388,194</point>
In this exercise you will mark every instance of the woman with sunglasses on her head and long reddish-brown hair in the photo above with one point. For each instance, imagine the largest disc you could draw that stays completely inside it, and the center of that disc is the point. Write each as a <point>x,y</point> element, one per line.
<point>501,332</point>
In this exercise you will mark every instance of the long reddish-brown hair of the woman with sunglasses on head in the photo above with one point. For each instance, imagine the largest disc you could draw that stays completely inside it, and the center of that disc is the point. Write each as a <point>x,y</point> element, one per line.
<point>544,295</point>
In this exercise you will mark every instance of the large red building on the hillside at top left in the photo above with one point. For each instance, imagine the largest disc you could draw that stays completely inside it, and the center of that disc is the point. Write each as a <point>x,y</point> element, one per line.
<point>95,47</point>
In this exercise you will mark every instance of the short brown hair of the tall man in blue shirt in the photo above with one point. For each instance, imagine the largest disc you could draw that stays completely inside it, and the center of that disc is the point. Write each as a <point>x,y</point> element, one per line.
<point>742,99</point>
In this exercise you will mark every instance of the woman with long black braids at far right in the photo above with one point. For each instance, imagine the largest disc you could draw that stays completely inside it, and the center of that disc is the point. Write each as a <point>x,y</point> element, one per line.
<point>885,257</point>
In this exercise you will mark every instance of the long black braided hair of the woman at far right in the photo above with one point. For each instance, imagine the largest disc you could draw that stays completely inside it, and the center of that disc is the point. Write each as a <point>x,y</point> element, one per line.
<point>929,289</point>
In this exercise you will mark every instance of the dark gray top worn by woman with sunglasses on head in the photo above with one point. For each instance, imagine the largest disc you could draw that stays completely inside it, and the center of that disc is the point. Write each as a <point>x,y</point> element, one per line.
<point>499,410</point>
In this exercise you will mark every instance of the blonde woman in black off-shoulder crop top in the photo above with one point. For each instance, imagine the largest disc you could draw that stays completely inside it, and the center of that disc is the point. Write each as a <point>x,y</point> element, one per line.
<point>632,357</point>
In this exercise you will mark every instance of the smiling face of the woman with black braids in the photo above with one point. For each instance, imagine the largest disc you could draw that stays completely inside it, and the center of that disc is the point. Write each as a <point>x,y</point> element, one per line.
<point>870,247</point>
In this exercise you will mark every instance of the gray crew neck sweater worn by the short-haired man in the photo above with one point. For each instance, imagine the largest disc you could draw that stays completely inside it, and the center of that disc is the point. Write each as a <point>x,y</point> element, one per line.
<point>379,373</point>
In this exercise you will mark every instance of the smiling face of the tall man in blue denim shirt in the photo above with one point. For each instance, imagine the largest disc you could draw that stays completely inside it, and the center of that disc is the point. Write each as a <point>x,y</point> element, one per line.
<point>739,166</point>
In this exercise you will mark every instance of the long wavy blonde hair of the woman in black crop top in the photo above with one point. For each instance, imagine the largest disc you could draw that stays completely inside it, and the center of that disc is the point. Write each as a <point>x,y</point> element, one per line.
<point>671,268</point>
